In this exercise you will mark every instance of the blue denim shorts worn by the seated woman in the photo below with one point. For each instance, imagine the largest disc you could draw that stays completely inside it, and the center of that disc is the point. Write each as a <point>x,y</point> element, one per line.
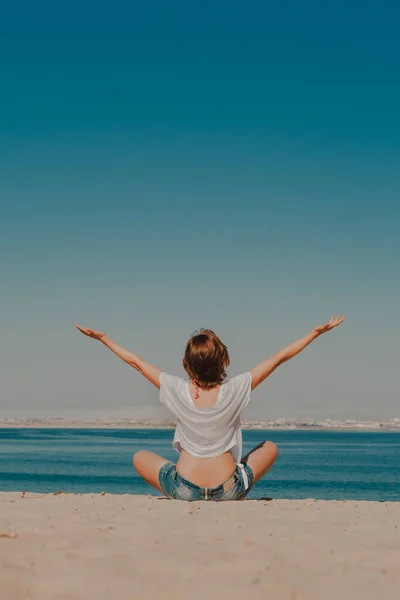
<point>176,487</point>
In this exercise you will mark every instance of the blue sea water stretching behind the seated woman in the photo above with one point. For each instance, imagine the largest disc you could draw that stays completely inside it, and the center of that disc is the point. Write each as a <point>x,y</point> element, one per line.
<point>311,464</point>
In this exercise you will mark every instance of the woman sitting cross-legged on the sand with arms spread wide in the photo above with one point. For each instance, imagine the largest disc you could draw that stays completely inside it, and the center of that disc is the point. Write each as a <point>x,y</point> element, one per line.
<point>207,408</point>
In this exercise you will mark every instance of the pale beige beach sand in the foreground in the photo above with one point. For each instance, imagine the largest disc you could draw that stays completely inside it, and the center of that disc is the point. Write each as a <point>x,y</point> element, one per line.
<point>137,547</point>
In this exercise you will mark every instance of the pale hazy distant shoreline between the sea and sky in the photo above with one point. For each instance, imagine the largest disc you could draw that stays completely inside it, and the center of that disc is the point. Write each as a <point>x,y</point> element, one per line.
<point>253,425</point>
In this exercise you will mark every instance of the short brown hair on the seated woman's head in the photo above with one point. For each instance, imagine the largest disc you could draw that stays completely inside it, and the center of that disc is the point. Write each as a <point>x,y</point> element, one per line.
<point>206,359</point>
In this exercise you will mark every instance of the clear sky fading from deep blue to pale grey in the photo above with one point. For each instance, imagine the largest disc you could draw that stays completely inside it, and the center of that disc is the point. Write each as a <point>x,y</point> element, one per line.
<point>166,166</point>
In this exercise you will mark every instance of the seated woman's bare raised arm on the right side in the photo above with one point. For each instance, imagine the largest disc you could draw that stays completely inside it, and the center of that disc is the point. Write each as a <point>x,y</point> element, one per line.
<point>268,366</point>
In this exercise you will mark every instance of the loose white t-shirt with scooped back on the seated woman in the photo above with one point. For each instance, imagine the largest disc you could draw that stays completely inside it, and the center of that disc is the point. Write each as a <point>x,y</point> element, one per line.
<point>207,432</point>
